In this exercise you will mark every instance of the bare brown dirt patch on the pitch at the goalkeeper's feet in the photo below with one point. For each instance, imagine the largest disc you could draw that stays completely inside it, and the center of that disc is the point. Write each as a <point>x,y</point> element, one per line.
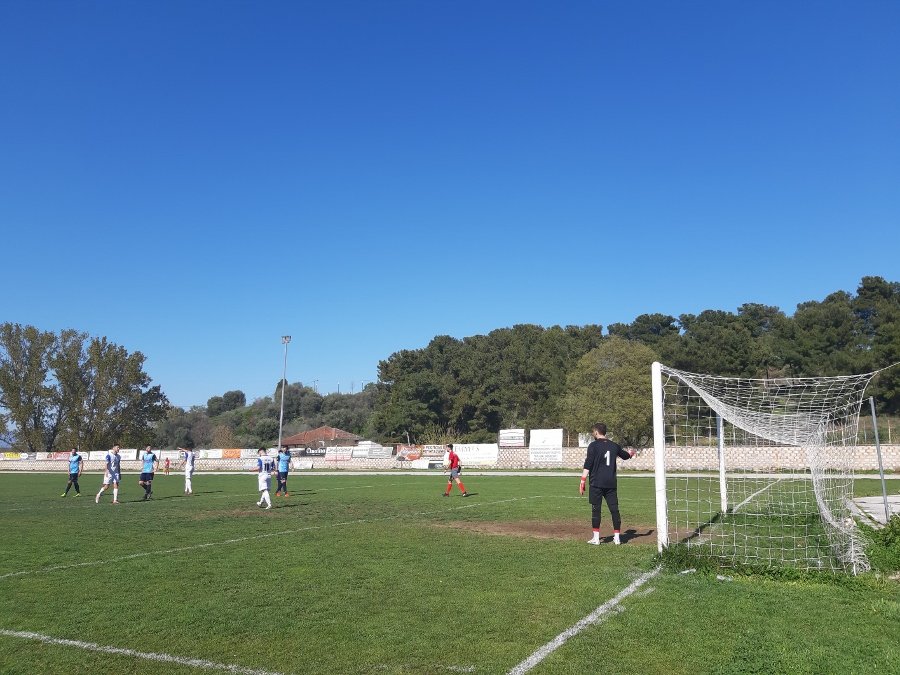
<point>562,530</point>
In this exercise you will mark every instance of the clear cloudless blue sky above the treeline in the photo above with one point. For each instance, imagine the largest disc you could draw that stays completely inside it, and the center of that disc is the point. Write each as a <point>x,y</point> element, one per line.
<point>195,179</point>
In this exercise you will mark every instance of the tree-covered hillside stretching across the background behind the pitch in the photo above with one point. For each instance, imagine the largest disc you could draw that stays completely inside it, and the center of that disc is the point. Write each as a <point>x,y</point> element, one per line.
<point>67,389</point>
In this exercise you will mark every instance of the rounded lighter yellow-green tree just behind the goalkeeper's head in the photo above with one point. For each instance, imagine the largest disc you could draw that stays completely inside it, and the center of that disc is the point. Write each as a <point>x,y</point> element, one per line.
<point>611,384</point>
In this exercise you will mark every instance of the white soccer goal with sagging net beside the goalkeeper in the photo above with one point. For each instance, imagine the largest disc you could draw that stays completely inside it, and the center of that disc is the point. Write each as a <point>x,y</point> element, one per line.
<point>757,473</point>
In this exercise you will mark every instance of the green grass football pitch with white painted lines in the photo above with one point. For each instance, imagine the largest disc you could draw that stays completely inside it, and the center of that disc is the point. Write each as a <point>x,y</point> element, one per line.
<point>380,574</point>
